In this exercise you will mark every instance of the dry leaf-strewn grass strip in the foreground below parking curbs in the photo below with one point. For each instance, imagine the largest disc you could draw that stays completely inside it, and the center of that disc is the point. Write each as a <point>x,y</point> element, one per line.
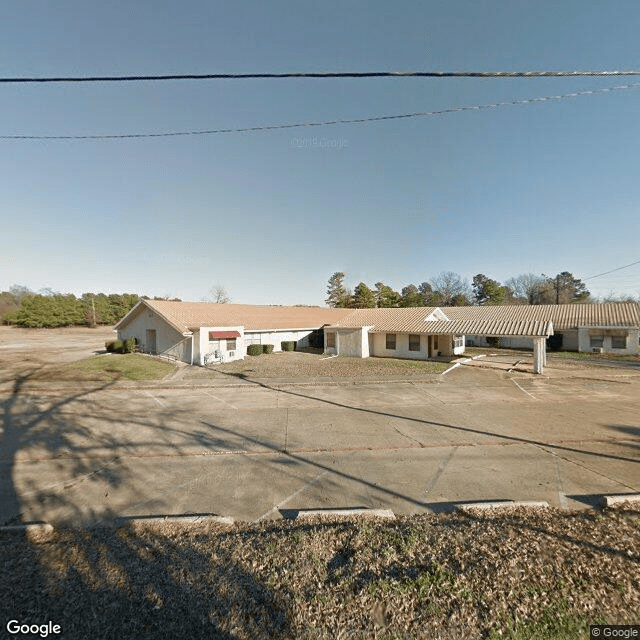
<point>542,575</point>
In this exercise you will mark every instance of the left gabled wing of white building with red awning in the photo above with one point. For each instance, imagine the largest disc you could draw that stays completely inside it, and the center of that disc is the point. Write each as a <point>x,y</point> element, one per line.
<point>199,332</point>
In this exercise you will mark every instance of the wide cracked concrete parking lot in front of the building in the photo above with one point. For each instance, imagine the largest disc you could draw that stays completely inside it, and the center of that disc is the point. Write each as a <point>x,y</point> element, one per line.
<point>253,450</point>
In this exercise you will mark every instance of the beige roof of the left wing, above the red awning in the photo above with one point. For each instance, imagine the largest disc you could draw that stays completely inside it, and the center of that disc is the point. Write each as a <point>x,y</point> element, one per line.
<point>186,316</point>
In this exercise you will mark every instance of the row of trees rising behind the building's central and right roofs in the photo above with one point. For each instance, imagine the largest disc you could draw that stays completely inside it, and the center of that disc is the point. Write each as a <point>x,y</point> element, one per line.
<point>449,289</point>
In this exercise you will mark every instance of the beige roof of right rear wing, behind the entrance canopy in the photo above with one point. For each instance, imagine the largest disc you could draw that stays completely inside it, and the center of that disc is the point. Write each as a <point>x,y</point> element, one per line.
<point>563,316</point>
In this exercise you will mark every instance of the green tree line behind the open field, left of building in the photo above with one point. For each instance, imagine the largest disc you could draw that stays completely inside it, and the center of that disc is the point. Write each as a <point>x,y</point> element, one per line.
<point>23,307</point>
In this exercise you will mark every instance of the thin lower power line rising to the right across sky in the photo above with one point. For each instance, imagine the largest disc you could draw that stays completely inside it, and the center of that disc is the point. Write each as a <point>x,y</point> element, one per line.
<point>420,114</point>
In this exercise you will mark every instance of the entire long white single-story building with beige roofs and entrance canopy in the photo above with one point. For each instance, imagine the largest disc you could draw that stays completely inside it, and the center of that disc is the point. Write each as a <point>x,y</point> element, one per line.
<point>199,332</point>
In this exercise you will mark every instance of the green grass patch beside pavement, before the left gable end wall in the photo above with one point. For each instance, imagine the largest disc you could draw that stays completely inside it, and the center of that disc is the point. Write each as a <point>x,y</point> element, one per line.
<point>129,366</point>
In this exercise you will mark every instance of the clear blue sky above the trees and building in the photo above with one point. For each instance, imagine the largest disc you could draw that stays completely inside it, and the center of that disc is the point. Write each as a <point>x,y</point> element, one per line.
<point>540,188</point>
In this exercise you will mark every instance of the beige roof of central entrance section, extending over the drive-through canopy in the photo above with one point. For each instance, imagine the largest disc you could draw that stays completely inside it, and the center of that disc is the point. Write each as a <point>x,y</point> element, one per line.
<point>414,320</point>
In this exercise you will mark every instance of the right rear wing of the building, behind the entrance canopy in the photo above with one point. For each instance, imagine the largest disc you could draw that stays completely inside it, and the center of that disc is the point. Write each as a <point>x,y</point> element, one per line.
<point>600,328</point>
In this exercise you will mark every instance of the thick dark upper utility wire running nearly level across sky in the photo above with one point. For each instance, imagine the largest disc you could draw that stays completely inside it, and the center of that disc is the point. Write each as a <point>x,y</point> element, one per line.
<point>330,74</point>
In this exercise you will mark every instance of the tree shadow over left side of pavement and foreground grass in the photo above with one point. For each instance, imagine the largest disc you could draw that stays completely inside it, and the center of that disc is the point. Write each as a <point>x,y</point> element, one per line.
<point>106,582</point>
